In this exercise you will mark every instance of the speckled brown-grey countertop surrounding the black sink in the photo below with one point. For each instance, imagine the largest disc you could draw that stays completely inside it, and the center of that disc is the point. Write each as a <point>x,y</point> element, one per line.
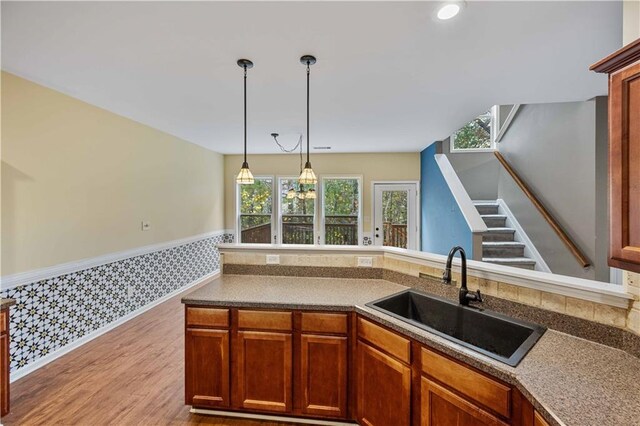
<point>571,381</point>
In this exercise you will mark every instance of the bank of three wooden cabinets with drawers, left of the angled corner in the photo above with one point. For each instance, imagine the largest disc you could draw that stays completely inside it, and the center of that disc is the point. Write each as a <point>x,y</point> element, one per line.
<point>258,361</point>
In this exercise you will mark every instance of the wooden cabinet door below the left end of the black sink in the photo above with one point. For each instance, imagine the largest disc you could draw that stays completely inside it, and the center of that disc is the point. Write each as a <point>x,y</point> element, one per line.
<point>384,388</point>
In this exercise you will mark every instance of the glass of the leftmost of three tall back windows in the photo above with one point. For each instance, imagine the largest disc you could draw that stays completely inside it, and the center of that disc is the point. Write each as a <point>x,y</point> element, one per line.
<point>256,206</point>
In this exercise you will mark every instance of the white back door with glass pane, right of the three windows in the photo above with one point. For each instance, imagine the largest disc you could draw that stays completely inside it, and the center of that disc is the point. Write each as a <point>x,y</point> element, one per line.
<point>395,215</point>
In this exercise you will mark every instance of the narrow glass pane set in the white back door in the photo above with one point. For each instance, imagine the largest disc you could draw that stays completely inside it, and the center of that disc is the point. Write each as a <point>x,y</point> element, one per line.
<point>394,218</point>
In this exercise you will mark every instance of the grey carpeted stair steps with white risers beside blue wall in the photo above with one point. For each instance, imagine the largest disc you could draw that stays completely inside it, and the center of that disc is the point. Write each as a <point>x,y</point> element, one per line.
<point>500,244</point>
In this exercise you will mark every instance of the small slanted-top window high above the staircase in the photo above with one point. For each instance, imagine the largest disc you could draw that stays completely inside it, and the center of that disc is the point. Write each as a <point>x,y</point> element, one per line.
<point>476,135</point>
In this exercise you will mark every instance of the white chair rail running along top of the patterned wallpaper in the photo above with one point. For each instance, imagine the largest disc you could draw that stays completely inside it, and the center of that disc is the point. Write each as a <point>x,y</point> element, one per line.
<point>23,278</point>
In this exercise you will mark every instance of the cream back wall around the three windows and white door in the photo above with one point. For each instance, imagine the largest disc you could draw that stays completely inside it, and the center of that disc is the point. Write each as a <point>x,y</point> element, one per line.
<point>373,167</point>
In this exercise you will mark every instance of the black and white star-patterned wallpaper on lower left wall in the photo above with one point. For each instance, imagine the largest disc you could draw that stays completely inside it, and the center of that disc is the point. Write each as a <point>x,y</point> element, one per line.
<point>53,313</point>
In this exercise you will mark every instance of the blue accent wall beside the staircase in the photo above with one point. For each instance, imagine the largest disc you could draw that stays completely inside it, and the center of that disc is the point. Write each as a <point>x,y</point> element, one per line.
<point>442,223</point>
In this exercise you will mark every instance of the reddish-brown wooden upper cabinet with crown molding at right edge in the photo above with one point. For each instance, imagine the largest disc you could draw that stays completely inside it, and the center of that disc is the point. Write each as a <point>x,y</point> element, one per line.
<point>623,68</point>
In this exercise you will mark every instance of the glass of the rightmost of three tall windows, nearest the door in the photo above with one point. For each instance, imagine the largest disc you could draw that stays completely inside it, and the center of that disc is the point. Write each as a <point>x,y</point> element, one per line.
<point>341,207</point>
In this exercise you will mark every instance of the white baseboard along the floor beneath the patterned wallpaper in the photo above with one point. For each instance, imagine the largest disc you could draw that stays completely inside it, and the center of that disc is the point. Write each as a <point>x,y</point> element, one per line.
<point>41,362</point>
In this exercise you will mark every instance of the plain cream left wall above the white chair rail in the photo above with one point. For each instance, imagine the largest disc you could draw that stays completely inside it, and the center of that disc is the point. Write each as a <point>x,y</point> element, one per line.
<point>78,180</point>
